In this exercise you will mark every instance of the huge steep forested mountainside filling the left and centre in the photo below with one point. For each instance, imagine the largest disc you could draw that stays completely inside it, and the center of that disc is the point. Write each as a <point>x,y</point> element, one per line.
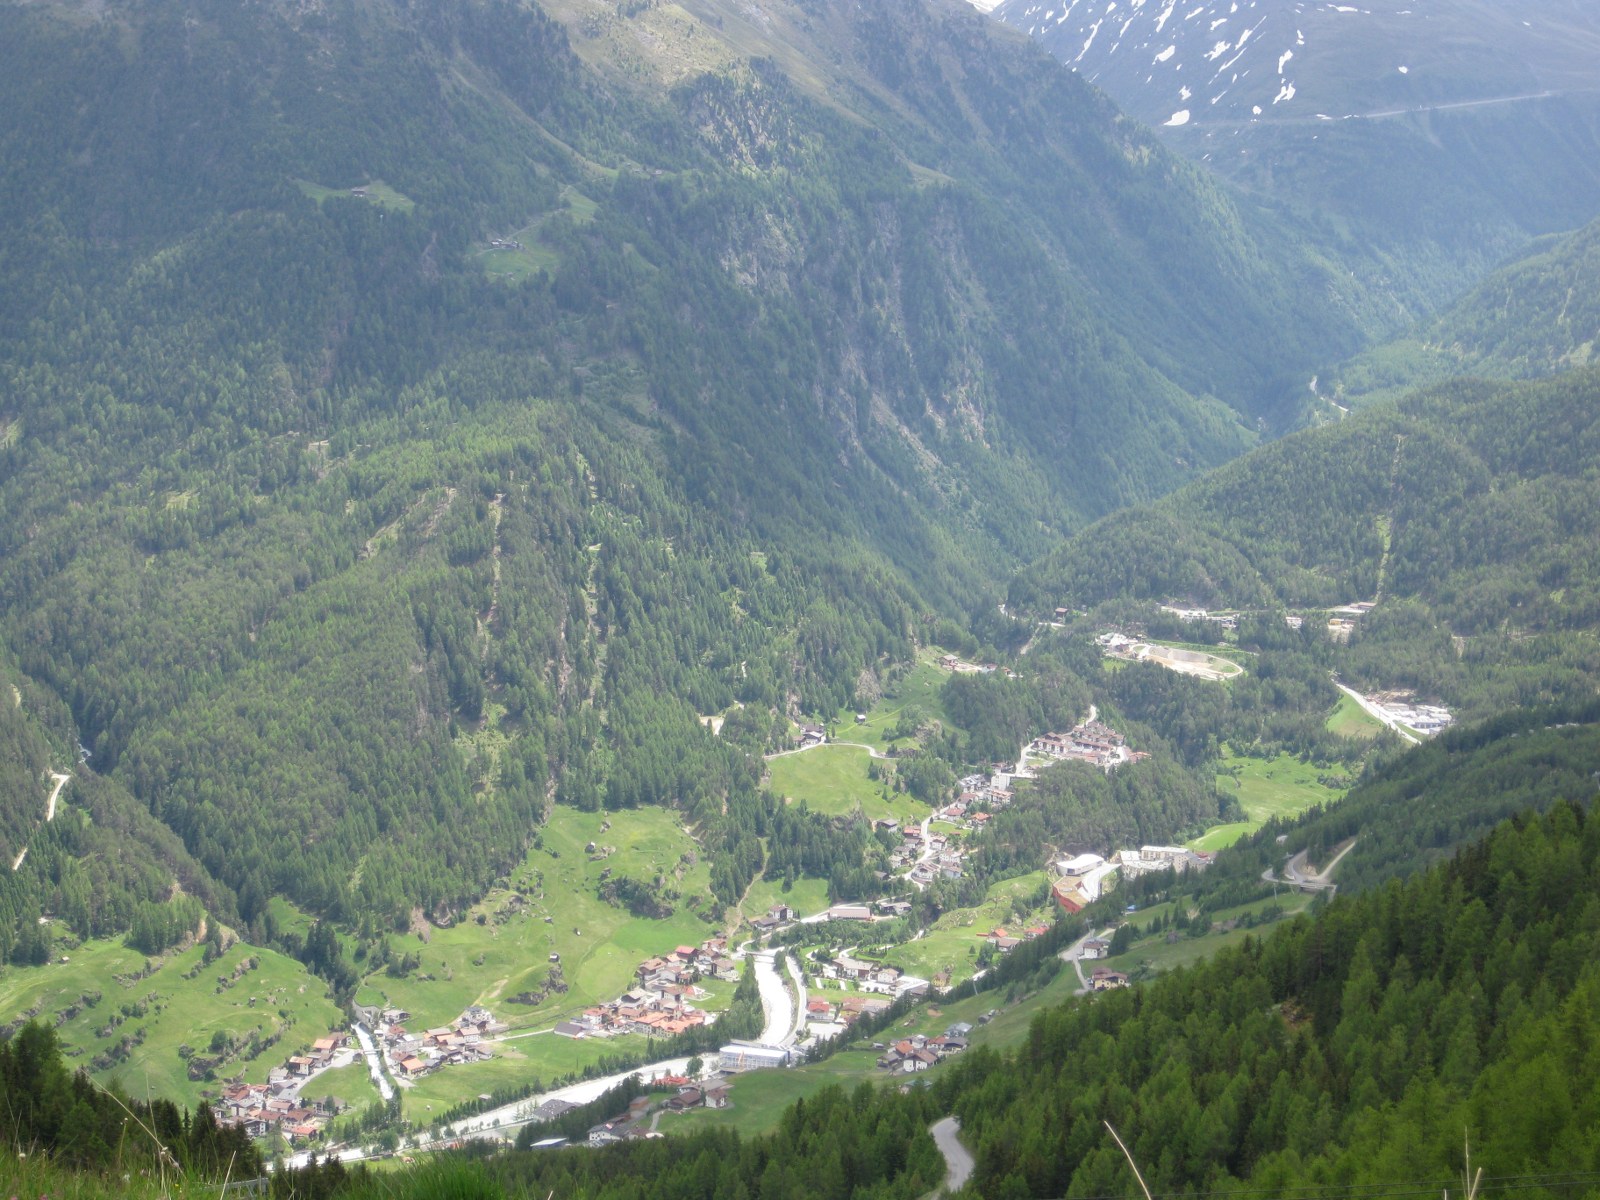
<point>409,422</point>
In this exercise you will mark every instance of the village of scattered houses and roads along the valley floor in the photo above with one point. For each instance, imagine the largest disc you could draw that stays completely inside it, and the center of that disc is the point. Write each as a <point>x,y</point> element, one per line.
<point>836,978</point>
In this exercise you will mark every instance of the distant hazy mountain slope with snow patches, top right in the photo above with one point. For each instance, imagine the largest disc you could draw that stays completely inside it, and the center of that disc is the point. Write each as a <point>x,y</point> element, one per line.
<point>1438,140</point>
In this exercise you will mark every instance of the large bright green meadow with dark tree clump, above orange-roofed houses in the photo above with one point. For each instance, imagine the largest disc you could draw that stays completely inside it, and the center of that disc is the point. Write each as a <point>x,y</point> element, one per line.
<point>599,943</point>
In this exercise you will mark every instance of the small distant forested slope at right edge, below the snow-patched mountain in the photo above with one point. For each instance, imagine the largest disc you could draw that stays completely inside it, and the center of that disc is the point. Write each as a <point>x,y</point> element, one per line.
<point>1534,318</point>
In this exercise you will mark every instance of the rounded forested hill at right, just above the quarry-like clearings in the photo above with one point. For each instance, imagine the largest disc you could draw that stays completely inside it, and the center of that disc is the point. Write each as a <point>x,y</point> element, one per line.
<point>1473,500</point>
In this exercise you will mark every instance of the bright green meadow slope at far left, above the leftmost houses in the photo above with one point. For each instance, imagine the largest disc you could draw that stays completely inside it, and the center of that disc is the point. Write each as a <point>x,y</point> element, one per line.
<point>278,998</point>
